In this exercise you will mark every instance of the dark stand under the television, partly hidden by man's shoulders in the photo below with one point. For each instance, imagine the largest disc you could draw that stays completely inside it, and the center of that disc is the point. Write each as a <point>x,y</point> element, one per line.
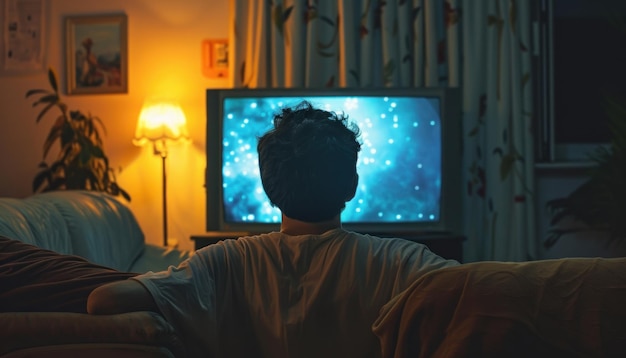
<point>446,245</point>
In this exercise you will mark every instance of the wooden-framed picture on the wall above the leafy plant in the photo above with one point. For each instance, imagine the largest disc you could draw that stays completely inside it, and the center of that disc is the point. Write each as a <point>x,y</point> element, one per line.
<point>96,54</point>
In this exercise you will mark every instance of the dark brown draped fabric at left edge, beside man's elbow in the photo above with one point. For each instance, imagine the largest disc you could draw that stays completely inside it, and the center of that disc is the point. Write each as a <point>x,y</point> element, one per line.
<point>34,279</point>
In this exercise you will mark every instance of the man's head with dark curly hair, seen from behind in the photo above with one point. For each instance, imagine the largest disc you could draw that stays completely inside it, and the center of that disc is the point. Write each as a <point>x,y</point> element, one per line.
<point>308,162</point>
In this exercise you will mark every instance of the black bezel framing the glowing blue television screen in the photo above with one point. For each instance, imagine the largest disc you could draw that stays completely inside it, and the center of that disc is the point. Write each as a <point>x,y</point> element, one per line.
<point>451,185</point>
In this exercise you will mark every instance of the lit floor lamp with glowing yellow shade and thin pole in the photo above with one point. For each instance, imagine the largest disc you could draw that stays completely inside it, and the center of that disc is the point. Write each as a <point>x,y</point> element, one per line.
<point>160,122</point>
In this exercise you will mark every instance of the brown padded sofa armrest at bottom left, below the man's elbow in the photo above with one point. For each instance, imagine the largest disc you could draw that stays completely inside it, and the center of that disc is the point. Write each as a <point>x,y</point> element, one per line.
<point>21,330</point>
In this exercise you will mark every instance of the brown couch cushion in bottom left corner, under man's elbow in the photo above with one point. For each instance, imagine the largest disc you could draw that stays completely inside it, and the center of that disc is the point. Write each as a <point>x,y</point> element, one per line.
<point>73,331</point>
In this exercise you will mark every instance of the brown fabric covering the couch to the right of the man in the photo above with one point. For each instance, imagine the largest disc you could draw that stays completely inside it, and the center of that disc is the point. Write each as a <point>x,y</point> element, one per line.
<point>573,307</point>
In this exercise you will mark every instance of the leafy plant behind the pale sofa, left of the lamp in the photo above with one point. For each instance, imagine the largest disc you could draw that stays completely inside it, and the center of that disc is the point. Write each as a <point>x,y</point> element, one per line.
<point>81,162</point>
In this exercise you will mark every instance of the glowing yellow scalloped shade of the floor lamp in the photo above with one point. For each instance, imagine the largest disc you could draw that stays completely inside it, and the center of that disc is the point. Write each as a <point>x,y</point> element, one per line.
<point>160,120</point>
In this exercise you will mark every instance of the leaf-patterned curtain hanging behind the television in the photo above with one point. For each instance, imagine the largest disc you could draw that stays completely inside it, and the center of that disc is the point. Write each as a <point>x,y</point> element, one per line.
<point>481,46</point>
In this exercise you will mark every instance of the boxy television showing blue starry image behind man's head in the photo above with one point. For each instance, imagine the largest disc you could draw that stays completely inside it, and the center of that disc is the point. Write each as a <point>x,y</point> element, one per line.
<point>409,165</point>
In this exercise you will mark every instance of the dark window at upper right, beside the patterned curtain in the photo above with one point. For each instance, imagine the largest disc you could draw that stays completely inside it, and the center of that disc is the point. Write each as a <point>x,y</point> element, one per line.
<point>582,61</point>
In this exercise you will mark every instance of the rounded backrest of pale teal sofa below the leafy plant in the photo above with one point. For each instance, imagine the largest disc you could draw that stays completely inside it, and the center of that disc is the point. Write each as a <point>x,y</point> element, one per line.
<point>90,224</point>
